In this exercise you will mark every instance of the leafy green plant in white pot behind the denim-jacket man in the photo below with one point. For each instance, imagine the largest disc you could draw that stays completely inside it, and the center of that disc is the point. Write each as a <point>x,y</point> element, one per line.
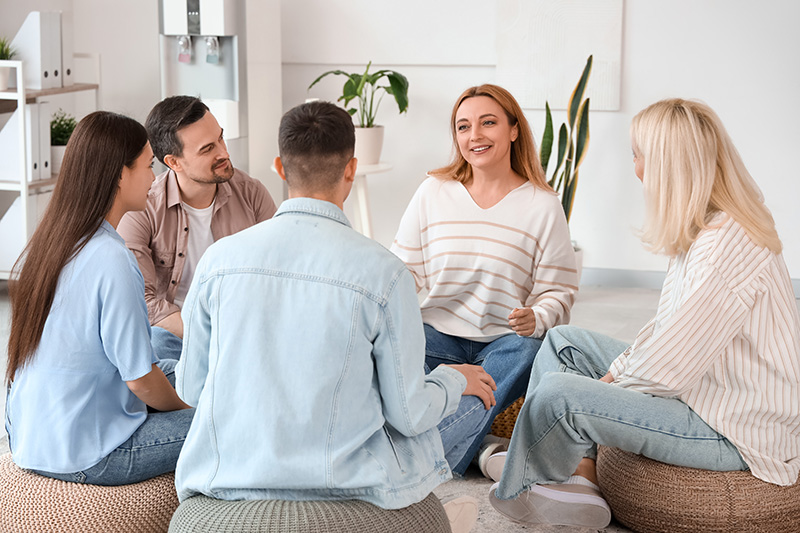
<point>364,89</point>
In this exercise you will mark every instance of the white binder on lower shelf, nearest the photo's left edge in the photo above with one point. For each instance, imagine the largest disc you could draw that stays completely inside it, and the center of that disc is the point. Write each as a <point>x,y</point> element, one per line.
<point>9,144</point>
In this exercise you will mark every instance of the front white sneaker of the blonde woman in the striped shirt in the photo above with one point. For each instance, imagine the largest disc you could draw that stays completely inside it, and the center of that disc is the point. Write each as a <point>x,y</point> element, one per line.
<point>561,504</point>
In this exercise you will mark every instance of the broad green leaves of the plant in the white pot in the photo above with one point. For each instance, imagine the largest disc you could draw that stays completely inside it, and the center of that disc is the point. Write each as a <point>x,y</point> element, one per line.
<point>362,88</point>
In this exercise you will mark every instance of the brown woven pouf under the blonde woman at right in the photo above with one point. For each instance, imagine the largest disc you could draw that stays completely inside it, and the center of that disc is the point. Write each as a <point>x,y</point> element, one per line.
<point>652,497</point>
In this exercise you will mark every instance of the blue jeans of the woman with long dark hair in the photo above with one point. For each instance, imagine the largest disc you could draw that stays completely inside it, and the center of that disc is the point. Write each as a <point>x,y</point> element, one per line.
<point>152,450</point>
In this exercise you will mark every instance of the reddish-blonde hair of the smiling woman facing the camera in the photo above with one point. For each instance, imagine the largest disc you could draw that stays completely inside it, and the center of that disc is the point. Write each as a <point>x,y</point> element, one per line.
<point>524,156</point>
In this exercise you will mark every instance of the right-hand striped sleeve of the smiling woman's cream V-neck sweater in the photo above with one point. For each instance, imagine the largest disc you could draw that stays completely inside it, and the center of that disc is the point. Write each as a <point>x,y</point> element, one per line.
<point>555,275</point>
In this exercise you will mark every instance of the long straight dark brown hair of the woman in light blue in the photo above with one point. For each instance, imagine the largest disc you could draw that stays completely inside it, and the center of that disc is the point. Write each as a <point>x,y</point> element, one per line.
<point>96,152</point>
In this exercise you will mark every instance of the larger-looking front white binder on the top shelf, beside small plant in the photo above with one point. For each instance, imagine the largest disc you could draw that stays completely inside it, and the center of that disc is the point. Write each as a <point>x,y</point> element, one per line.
<point>38,44</point>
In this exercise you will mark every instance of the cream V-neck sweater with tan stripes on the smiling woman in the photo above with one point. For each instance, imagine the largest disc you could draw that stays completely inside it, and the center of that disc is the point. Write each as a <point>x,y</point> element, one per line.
<point>479,264</point>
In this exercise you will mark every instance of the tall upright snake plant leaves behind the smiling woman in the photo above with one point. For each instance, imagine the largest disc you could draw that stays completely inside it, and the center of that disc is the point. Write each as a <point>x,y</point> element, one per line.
<point>572,143</point>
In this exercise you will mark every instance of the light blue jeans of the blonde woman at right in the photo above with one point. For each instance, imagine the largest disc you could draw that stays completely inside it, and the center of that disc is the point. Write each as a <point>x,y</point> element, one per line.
<point>567,412</point>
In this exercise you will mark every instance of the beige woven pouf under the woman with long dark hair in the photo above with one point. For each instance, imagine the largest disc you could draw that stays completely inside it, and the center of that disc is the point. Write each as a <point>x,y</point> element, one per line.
<point>30,503</point>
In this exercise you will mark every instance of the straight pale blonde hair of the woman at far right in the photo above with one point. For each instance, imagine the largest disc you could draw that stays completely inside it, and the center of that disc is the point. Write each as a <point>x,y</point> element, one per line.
<point>692,171</point>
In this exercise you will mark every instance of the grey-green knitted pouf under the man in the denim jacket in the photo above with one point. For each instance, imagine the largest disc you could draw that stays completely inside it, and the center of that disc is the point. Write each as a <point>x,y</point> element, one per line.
<point>201,514</point>
